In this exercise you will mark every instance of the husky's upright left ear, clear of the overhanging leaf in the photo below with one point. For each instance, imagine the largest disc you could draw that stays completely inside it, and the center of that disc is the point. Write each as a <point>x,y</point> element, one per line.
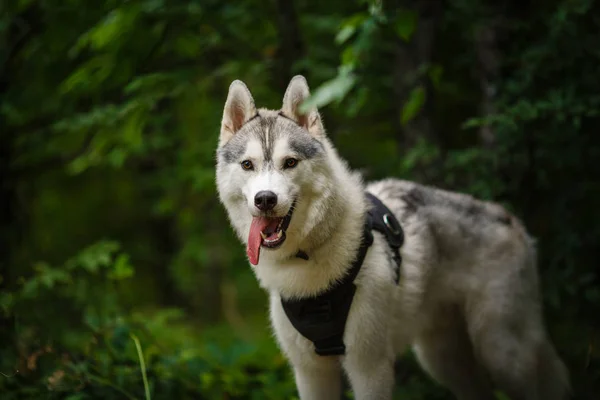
<point>239,108</point>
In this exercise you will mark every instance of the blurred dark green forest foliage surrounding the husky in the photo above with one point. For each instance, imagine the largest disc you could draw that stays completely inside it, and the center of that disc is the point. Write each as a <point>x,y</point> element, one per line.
<point>111,233</point>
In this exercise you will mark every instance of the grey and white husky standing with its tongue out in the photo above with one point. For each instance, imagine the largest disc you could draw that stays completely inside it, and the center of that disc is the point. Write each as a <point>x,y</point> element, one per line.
<point>467,300</point>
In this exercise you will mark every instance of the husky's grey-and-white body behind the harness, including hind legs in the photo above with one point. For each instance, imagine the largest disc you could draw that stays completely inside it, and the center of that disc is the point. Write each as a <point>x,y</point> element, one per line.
<point>479,313</point>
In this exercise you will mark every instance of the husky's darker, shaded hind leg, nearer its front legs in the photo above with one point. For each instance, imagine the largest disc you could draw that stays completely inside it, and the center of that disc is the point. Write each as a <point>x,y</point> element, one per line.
<point>444,351</point>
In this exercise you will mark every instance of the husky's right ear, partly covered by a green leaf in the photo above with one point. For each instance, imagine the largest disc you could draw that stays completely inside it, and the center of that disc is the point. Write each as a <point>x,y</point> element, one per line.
<point>295,94</point>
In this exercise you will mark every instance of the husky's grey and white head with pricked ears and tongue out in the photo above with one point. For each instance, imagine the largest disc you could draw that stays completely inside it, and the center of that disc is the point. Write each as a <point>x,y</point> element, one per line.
<point>272,170</point>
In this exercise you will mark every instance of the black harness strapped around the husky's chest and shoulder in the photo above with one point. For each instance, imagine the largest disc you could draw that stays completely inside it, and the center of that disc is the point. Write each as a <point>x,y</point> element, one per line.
<point>322,319</point>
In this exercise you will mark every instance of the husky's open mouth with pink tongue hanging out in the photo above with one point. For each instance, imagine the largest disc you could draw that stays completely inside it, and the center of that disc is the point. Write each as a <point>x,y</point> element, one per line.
<point>268,232</point>
